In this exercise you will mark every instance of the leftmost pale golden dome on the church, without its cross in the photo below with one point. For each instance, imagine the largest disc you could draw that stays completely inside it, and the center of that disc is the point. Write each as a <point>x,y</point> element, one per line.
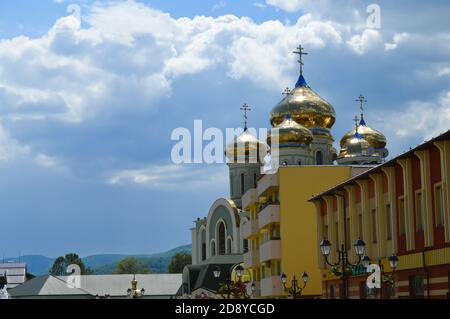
<point>246,145</point>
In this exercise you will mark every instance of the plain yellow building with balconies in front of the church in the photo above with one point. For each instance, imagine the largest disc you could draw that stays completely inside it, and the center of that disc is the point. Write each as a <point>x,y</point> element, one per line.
<point>282,229</point>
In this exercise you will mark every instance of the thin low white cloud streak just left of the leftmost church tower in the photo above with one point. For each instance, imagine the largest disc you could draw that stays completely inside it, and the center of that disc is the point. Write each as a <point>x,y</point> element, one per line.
<point>173,177</point>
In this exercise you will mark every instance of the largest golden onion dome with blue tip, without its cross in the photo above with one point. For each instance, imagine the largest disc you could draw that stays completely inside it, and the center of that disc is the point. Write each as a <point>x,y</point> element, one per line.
<point>306,108</point>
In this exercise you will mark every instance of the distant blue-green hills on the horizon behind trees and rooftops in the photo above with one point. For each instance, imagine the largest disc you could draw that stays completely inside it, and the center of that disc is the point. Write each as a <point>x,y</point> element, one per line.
<point>104,264</point>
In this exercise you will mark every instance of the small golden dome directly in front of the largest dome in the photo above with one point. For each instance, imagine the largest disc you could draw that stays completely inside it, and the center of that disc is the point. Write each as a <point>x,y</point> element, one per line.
<point>290,132</point>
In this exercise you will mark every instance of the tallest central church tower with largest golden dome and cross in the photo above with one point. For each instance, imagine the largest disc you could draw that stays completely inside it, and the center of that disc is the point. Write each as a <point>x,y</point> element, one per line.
<point>306,108</point>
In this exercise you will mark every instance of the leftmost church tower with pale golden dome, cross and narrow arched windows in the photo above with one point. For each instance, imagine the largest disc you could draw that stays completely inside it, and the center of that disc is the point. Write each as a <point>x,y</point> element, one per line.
<point>245,158</point>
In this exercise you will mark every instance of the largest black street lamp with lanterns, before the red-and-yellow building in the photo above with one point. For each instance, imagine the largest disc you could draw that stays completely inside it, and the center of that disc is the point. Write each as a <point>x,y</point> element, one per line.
<point>343,260</point>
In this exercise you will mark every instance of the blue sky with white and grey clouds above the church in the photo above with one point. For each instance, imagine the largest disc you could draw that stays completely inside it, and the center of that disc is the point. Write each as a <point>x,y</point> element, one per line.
<point>91,91</point>
